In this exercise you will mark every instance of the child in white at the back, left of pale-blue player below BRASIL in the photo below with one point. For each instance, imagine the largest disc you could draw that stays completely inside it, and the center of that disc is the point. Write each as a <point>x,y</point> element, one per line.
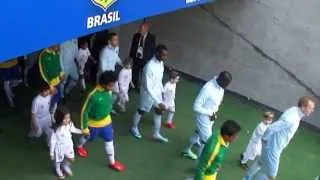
<point>82,57</point>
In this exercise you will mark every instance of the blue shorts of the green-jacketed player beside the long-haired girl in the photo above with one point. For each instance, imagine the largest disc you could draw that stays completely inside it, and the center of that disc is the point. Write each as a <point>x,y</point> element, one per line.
<point>106,133</point>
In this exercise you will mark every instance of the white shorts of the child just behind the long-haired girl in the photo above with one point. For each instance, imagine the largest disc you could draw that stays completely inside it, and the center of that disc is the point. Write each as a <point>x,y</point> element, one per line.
<point>44,126</point>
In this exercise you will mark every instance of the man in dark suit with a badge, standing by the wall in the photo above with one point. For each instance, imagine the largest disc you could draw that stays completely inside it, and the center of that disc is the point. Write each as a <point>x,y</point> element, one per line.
<point>142,50</point>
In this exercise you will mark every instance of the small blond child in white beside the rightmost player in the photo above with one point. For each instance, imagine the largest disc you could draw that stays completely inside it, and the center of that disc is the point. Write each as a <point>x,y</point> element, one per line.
<point>254,147</point>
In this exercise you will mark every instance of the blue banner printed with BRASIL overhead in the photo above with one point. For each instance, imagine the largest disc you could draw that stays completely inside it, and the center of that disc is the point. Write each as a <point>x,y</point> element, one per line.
<point>30,25</point>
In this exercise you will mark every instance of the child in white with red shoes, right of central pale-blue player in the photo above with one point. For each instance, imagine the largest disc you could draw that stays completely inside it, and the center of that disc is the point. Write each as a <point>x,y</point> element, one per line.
<point>169,95</point>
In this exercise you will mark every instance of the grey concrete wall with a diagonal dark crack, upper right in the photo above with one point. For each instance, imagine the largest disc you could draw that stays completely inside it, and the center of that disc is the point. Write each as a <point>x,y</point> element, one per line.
<point>270,46</point>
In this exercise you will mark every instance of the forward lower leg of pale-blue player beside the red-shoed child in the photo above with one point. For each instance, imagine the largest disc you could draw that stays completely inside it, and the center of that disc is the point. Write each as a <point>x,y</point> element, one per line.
<point>157,118</point>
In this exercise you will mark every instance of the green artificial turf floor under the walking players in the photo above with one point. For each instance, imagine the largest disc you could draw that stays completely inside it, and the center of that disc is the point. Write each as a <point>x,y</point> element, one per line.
<point>146,159</point>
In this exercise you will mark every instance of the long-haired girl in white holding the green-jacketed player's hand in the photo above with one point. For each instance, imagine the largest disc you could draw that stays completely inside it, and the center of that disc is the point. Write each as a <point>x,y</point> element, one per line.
<point>61,144</point>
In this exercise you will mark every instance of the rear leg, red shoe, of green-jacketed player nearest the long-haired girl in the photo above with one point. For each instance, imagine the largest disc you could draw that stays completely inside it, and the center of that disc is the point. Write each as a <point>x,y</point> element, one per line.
<point>81,151</point>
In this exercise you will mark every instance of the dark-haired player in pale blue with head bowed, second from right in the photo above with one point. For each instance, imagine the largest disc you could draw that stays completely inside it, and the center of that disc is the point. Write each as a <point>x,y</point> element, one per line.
<point>206,107</point>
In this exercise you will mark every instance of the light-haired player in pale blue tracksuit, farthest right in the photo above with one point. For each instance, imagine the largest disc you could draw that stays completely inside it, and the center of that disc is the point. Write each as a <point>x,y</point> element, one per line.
<point>277,138</point>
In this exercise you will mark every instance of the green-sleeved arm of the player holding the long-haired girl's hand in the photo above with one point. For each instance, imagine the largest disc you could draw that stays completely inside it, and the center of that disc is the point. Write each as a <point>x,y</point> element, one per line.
<point>85,113</point>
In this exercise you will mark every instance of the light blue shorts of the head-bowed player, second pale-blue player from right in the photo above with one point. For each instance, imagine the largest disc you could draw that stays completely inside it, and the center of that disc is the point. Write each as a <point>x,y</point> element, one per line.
<point>203,126</point>
